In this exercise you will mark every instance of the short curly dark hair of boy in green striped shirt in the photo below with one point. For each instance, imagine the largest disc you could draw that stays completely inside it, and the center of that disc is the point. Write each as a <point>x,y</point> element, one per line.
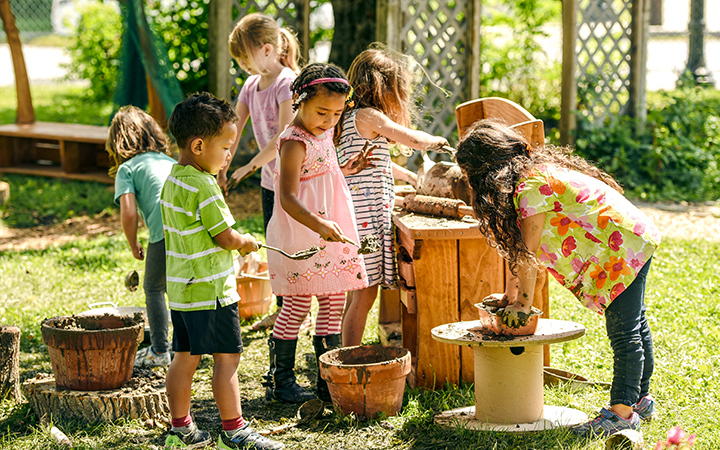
<point>200,115</point>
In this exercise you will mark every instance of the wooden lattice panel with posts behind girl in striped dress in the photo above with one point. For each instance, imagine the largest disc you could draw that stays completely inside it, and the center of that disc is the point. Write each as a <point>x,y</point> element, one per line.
<point>444,37</point>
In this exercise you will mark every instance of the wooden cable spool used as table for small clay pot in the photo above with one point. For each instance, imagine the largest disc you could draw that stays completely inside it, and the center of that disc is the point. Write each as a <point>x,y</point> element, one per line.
<point>509,378</point>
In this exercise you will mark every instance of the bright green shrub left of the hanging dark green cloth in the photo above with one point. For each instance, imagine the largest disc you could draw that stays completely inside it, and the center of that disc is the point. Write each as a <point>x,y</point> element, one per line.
<point>95,51</point>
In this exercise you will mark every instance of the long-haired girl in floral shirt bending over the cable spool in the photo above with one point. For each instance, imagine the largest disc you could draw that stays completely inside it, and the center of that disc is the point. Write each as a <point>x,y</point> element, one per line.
<point>544,207</point>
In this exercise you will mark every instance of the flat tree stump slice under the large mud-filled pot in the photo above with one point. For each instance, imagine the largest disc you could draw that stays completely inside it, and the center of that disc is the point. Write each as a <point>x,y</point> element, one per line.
<point>142,397</point>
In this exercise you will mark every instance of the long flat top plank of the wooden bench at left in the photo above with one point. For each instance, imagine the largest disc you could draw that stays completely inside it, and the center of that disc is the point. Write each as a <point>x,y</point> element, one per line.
<point>57,131</point>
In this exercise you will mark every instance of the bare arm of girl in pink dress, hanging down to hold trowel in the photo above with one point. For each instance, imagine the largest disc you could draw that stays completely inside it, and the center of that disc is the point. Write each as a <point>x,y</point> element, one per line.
<point>292,154</point>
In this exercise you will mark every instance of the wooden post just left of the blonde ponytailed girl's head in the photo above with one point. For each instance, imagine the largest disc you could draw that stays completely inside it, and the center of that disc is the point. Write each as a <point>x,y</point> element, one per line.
<point>219,21</point>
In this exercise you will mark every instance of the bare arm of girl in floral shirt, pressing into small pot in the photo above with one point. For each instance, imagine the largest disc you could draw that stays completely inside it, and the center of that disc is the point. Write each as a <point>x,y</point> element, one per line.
<point>521,289</point>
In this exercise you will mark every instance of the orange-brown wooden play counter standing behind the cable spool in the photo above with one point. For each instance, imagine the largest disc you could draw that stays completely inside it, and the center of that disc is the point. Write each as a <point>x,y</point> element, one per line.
<point>445,267</point>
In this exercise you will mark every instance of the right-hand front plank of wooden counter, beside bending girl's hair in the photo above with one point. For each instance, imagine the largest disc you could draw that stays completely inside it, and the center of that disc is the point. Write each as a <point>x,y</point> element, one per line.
<point>482,272</point>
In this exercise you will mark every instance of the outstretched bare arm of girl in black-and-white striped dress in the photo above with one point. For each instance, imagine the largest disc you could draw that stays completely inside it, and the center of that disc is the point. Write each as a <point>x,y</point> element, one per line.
<point>370,122</point>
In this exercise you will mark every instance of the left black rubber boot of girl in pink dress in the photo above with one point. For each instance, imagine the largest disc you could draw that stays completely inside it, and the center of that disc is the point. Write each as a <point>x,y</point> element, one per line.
<point>280,381</point>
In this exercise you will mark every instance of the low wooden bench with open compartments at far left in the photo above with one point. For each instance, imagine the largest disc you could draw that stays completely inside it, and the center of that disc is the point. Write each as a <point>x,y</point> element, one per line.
<point>55,150</point>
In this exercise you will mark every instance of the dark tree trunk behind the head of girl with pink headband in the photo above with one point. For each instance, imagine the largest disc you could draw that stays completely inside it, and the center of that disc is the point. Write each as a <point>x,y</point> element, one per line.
<point>355,24</point>
